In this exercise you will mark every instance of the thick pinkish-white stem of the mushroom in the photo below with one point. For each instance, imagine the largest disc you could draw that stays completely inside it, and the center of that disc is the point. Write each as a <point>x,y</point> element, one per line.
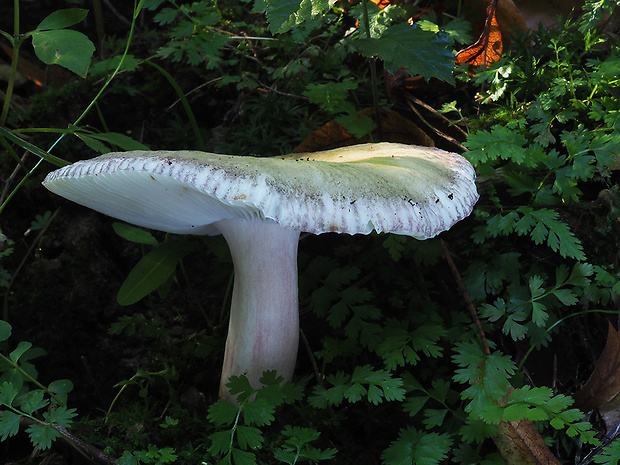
<point>263,332</point>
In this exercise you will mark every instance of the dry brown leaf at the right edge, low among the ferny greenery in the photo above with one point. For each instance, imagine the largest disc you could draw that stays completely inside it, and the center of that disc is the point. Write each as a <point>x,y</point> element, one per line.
<point>604,382</point>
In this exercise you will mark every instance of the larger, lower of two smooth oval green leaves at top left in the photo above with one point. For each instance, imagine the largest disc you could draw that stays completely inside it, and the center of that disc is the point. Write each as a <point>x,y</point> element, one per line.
<point>64,47</point>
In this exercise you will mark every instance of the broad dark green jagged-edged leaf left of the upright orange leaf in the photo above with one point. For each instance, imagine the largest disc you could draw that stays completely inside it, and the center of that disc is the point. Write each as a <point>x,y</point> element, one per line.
<point>418,51</point>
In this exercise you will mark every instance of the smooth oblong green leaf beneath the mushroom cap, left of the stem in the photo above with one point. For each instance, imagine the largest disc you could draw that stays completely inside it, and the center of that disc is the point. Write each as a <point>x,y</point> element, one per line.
<point>152,270</point>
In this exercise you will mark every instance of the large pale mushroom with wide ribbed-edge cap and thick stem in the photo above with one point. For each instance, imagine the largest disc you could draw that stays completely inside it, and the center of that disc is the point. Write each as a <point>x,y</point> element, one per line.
<point>260,206</point>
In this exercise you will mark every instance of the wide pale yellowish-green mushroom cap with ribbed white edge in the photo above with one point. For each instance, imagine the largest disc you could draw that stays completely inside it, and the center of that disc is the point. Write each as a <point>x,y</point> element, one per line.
<point>385,187</point>
